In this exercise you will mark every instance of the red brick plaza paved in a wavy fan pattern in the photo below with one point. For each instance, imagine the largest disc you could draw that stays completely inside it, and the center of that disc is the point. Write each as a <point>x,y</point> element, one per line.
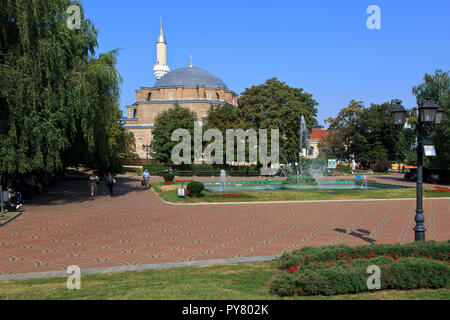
<point>64,227</point>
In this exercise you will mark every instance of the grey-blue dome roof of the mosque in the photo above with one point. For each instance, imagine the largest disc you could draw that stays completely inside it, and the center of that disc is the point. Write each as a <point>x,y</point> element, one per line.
<point>190,77</point>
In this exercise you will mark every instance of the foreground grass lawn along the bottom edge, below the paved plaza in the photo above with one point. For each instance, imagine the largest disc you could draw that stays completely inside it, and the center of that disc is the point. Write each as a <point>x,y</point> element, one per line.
<point>227,282</point>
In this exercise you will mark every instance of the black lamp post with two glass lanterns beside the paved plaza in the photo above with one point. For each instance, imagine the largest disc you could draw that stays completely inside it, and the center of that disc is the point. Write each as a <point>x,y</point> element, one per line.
<point>429,114</point>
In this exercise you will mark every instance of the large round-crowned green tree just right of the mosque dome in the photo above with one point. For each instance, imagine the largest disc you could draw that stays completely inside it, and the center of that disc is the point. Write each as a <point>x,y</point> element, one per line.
<point>275,105</point>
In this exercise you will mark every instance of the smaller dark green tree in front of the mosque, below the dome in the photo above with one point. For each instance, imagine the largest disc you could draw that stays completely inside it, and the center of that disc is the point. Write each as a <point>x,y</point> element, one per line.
<point>166,122</point>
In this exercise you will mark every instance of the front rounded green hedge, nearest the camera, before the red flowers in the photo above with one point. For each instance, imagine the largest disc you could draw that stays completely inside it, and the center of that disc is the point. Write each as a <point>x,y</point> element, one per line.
<point>343,278</point>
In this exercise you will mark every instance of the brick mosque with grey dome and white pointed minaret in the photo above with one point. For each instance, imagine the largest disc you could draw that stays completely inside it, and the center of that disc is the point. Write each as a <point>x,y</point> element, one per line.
<point>191,87</point>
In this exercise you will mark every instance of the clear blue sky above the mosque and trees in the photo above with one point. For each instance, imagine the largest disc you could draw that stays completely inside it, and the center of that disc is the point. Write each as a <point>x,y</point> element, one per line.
<point>323,46</point>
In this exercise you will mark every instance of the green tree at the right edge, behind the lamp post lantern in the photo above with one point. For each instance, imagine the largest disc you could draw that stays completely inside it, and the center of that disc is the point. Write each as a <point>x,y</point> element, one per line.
<point>437,87</point>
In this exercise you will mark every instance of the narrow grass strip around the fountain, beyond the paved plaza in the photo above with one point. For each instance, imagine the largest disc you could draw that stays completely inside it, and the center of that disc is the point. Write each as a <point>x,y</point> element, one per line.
<point>169,193</point>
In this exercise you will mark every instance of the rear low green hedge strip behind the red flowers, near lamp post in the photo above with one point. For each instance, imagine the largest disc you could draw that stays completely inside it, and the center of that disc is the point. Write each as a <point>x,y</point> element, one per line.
<point>429,249</point>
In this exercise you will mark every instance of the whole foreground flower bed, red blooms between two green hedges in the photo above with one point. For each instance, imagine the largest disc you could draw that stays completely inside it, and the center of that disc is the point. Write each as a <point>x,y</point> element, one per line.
<point>342,269</point>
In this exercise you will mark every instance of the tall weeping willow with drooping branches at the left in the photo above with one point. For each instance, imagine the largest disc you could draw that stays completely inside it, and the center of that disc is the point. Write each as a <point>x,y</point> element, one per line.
<point>58,100</point>
